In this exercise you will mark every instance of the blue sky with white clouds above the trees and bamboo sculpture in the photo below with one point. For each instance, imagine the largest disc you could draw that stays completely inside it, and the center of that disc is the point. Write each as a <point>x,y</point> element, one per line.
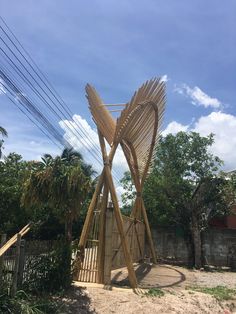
<point>116,46</point>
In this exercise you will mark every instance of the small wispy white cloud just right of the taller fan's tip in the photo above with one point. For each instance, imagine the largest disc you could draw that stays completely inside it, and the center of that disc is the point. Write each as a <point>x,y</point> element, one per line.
<point>197,96</point>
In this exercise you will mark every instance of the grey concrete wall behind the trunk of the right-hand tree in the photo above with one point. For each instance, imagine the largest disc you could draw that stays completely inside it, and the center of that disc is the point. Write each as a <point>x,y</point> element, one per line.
<point>219,246</point>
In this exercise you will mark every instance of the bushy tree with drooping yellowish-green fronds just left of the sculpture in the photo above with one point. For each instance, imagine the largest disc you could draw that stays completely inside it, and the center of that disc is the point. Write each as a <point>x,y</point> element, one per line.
<point>61,184</point>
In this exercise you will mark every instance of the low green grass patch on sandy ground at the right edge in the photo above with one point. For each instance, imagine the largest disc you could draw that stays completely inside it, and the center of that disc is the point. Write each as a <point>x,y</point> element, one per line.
<point>219,292</point>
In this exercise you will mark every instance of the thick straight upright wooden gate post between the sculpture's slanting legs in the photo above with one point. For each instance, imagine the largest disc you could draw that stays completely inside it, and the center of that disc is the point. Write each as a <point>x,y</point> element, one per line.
<point>108,246</point>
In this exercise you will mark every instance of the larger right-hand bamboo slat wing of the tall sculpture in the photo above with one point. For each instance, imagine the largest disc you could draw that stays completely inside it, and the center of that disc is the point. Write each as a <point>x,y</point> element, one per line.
<point>139,125</point>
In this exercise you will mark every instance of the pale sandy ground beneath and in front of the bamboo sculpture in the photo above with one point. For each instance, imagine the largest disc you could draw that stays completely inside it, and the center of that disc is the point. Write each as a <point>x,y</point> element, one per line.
<point>172,280</point>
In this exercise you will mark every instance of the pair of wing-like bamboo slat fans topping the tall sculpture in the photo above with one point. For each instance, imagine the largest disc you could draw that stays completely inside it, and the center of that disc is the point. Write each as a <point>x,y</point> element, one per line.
<point>137,127</point>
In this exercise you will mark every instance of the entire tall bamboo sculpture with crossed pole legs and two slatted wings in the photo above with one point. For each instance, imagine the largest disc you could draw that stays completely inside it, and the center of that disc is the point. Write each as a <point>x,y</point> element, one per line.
<point>136,131</point>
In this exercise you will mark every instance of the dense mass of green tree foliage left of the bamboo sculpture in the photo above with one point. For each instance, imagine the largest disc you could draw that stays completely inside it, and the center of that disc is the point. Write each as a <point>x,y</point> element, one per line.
<point>15,174</point>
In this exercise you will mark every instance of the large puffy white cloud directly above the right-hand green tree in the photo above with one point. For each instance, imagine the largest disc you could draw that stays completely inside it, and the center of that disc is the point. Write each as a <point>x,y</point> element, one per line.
<point>223,126</point>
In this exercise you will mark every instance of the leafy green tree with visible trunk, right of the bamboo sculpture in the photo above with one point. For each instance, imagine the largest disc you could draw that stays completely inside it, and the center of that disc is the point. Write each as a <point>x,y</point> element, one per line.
<point>183,190</point>
